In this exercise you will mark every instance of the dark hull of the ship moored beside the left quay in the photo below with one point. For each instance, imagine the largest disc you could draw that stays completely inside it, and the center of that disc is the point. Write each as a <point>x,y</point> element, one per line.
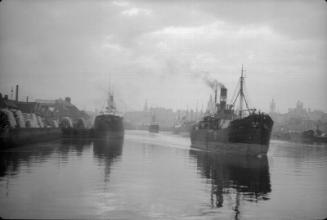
<point>108,126</point>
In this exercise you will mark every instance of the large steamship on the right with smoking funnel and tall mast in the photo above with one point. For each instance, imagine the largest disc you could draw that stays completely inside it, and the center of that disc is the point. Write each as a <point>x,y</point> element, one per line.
<point>230,131</point>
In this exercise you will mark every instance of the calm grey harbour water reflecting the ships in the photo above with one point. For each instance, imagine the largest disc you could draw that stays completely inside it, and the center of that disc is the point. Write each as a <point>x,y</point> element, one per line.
<point>157,176</point>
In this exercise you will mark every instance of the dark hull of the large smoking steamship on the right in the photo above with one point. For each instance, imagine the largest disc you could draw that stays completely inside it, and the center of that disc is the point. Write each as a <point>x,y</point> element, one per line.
<point>249,135</point>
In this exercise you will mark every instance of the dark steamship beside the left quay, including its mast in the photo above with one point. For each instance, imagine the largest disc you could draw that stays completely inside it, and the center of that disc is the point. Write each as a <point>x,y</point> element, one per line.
<point>109,123</point>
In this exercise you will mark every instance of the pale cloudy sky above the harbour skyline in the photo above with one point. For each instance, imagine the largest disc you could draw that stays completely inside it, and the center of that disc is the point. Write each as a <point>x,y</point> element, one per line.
<point>161,51</point>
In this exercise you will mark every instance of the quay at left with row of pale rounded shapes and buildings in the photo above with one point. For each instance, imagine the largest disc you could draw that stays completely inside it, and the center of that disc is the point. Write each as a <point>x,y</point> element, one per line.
<point>28,122</point>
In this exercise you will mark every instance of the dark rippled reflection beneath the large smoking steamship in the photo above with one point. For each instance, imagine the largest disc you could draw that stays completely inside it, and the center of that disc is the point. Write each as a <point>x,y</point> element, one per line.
<point>246,176</point>
